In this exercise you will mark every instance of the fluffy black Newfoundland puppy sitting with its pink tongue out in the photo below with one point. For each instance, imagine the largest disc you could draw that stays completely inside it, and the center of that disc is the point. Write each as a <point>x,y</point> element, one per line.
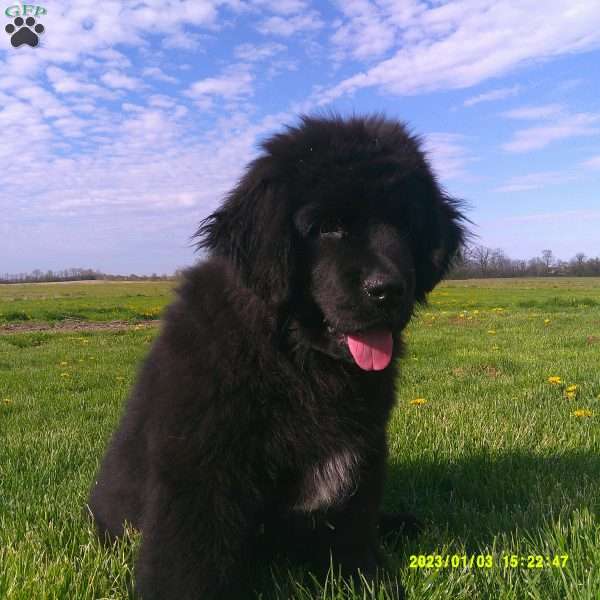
<point>258,421</point>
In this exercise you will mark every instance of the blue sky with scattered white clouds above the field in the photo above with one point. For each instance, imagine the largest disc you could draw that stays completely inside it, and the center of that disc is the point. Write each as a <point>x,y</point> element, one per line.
<point>130,120</point>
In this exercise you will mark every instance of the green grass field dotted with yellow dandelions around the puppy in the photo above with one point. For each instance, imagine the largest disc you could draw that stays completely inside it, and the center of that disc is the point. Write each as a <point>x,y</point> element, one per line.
<point>499,458</point>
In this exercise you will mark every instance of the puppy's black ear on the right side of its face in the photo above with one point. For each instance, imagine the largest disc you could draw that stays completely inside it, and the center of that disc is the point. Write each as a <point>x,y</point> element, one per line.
<point>437,256</point>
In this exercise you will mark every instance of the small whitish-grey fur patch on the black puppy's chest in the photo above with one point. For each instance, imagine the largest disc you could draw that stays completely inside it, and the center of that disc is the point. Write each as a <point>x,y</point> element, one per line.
<point>328,481</point>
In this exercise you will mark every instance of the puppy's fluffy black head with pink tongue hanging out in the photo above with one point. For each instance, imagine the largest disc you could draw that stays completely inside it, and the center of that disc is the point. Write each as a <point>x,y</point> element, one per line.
<point>340,225</point>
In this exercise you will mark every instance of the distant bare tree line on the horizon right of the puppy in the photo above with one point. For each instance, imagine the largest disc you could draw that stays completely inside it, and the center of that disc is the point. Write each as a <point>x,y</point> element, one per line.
<point>481,261</point>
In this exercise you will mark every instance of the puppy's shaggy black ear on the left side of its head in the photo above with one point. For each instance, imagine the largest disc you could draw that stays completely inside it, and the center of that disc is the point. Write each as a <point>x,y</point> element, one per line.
<point>253,231</point>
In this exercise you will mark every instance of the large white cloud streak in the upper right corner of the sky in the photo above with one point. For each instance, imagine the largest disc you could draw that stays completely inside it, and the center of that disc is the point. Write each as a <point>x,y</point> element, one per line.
<point>460,44</point>
